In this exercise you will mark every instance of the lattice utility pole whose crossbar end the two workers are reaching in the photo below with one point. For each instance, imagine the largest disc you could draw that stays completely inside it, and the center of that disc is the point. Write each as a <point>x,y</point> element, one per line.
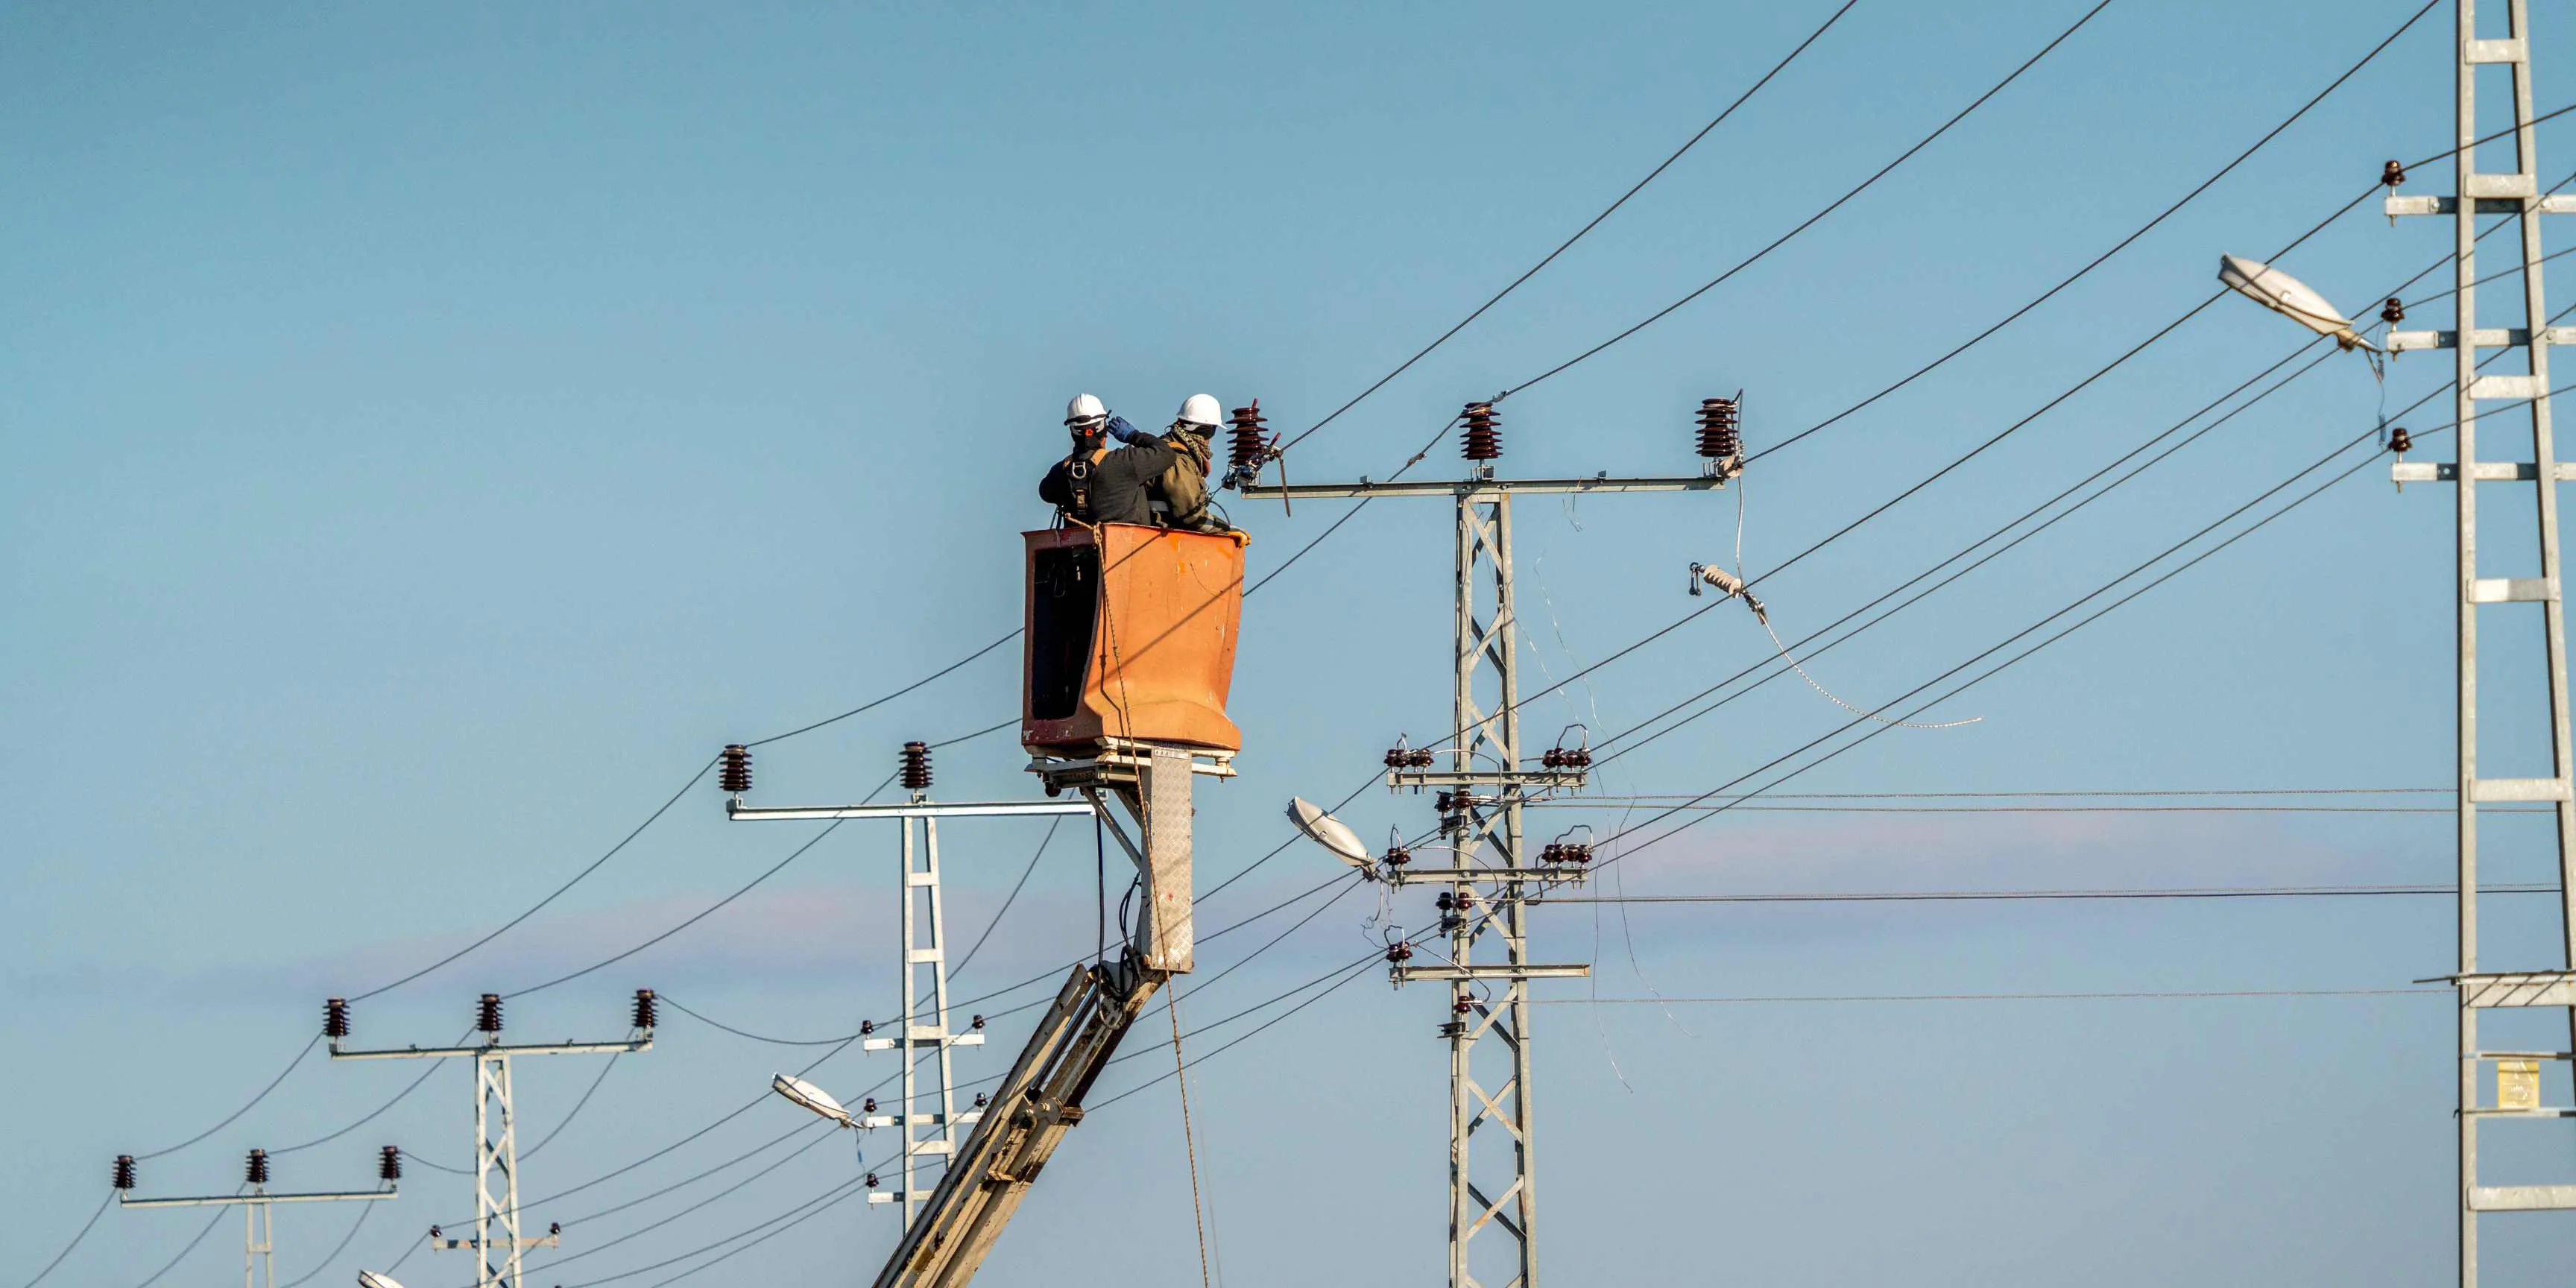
<point>1482,795</point>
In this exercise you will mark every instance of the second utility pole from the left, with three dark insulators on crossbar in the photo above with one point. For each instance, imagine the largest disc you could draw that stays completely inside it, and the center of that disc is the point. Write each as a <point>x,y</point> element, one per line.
<point>496,1127</point>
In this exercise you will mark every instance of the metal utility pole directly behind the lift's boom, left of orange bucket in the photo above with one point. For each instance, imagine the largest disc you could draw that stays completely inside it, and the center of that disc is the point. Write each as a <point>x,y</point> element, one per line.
<point>926,1117</point>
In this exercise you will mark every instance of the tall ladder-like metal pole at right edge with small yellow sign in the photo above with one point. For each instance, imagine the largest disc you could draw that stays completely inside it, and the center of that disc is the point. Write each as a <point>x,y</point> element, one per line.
<point>2518,194</point>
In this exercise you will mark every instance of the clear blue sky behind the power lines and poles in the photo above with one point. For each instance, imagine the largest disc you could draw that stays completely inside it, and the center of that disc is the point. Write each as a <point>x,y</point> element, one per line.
<point>429,437</point>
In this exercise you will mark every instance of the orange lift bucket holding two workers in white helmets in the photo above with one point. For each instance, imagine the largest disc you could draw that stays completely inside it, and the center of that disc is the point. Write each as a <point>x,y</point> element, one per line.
<point>1130,635</point>
